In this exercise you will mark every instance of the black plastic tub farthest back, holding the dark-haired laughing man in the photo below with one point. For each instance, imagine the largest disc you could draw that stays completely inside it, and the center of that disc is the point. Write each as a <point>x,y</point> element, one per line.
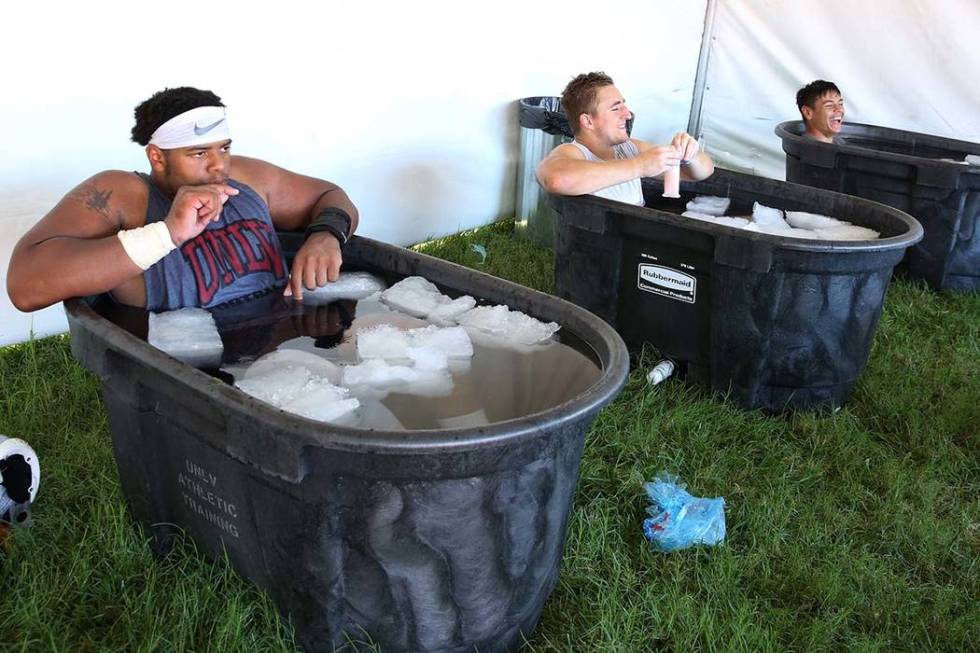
<point>920,174</point>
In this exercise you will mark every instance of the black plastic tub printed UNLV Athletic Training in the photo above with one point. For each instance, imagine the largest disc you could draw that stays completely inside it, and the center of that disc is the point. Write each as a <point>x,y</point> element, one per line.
<point>439,540</point>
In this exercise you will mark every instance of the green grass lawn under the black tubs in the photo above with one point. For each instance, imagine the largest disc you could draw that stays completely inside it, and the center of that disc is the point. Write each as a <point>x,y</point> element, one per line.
<point>858,530</point>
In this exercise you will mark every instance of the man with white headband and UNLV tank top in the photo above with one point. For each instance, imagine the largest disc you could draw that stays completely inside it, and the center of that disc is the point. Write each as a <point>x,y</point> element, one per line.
<point>198,230</point>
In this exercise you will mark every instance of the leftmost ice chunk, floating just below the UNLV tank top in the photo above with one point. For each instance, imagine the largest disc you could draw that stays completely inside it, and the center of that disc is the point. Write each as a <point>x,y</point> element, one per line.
<point>188,334</point>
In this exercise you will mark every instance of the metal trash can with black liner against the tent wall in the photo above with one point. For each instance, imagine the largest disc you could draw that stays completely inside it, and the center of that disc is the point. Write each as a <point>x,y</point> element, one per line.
<point>543,128</point>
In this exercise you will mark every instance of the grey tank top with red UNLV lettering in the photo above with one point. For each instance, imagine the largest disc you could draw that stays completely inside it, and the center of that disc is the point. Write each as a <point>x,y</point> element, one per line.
<point>236,257</point>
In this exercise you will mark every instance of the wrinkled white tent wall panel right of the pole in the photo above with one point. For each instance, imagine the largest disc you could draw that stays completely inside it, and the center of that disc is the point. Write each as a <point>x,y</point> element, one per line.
<point>904,64</point>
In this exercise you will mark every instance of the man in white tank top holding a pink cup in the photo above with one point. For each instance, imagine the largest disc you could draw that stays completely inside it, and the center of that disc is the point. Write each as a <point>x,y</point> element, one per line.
<point>603,160</point>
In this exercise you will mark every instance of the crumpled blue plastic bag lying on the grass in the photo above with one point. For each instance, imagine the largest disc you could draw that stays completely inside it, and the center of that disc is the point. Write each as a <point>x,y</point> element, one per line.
<point>679,520</point>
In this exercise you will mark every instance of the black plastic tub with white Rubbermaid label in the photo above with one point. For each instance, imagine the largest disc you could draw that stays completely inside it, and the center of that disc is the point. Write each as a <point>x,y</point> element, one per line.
<point>780,322</point>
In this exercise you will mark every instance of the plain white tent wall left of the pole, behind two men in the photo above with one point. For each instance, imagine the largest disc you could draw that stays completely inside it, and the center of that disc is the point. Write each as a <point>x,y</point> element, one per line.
<point>411,107</point>
